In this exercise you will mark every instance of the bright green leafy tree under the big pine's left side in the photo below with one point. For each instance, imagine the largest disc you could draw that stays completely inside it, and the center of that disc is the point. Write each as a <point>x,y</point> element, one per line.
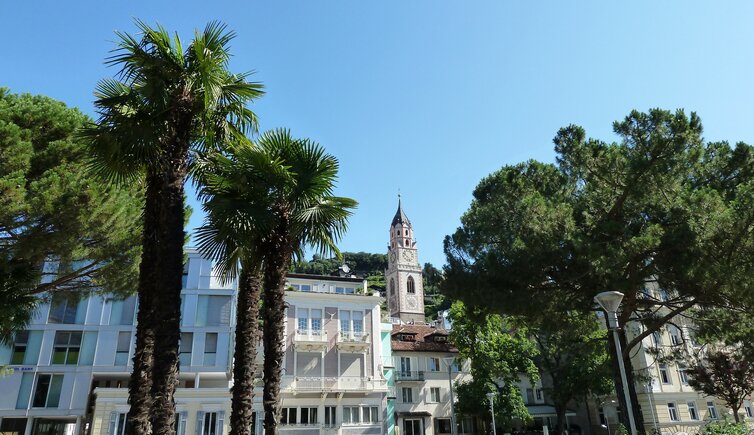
<point>499,353</point>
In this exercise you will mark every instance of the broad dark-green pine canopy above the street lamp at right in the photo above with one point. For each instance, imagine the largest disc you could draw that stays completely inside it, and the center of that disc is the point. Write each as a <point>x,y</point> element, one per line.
<point>657,206</point>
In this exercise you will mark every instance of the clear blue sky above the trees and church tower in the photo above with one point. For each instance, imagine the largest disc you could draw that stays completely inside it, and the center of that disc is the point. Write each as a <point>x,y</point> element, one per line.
<point>425,97</point>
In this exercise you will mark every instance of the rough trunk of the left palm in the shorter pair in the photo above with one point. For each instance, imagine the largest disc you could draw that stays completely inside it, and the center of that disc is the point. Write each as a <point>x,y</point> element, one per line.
<point>245,354</point>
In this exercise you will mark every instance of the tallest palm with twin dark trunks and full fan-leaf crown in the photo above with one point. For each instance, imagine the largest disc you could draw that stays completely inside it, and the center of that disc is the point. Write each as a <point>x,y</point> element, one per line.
<point>165,103</point>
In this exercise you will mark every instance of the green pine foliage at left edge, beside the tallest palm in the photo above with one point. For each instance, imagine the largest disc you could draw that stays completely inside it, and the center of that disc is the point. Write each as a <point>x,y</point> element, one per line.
<point>53,210</point>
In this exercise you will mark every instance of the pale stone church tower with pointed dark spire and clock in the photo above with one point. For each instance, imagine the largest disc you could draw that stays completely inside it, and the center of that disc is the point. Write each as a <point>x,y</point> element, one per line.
<point>405,289</point>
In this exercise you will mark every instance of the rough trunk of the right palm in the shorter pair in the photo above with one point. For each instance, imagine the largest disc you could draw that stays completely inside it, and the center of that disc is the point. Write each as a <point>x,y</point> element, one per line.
<point>275,269</point>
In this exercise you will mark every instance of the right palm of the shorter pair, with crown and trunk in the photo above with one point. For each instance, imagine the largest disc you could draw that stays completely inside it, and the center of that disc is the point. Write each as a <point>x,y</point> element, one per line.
<point>302,212</point>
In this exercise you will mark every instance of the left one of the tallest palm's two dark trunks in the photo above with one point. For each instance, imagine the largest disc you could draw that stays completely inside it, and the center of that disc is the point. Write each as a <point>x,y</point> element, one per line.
<point>140,385</point>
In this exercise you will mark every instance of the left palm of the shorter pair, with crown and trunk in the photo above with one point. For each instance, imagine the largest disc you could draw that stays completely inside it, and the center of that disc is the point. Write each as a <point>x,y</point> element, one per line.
<point>234,192</point>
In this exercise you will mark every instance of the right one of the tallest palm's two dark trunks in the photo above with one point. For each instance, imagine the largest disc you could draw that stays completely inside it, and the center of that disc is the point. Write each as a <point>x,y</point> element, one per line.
<point>168,328</point>
